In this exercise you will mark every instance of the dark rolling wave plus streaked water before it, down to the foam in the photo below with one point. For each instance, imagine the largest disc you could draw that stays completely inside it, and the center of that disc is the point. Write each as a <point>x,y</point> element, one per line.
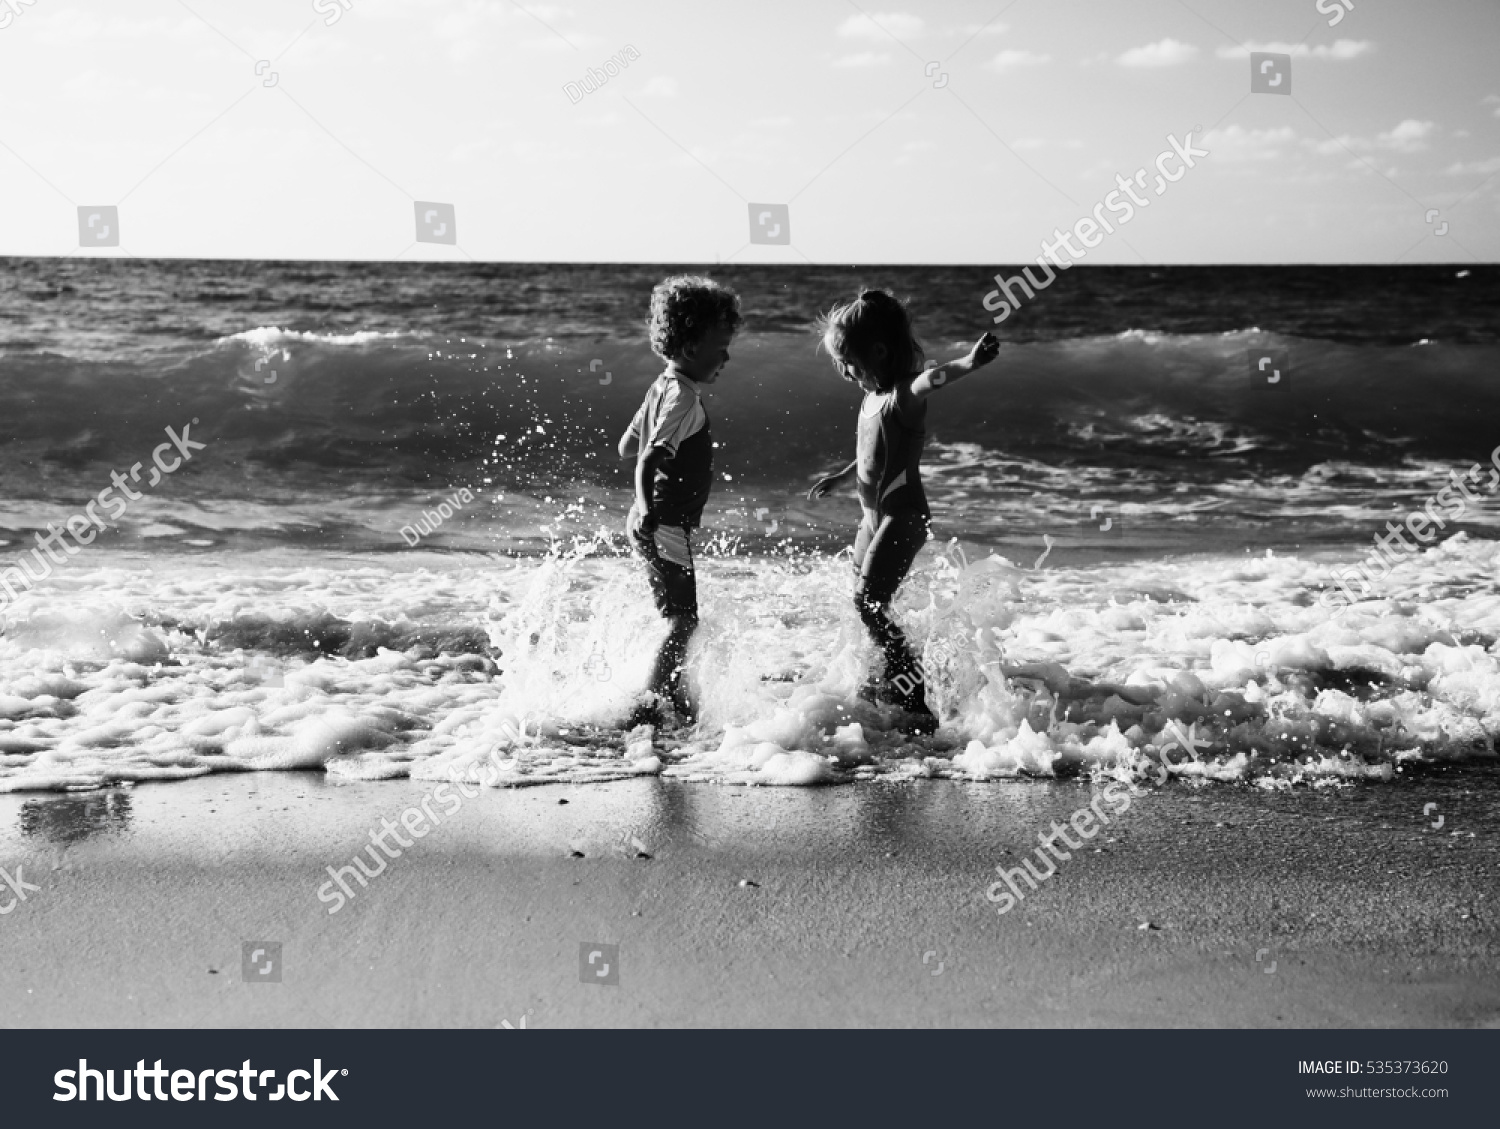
<point>340,439</point>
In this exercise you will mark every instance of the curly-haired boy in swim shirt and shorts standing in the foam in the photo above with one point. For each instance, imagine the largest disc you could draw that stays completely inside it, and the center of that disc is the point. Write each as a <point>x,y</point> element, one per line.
<point>692,323</point>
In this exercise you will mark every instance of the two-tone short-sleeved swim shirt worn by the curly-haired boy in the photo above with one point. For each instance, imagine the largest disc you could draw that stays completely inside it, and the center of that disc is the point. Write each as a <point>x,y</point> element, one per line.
<point>673,418</point>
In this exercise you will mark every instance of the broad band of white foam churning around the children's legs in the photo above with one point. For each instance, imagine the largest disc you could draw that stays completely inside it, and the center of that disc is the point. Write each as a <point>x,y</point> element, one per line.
<point>118,677</point>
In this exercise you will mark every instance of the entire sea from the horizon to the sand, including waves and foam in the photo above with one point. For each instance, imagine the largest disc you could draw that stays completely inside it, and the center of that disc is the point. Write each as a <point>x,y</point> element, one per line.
<point>383,538</point>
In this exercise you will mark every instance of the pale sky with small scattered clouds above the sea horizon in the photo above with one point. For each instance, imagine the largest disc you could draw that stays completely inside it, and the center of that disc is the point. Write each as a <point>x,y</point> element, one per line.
<point>937,133</point>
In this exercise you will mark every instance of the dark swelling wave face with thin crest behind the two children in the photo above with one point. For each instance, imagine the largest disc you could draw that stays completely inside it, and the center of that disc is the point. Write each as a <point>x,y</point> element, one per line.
<point>1184,394</point>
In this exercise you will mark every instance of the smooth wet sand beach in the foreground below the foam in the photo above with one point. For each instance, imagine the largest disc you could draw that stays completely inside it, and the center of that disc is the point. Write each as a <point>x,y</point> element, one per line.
<point>757,906</point>
